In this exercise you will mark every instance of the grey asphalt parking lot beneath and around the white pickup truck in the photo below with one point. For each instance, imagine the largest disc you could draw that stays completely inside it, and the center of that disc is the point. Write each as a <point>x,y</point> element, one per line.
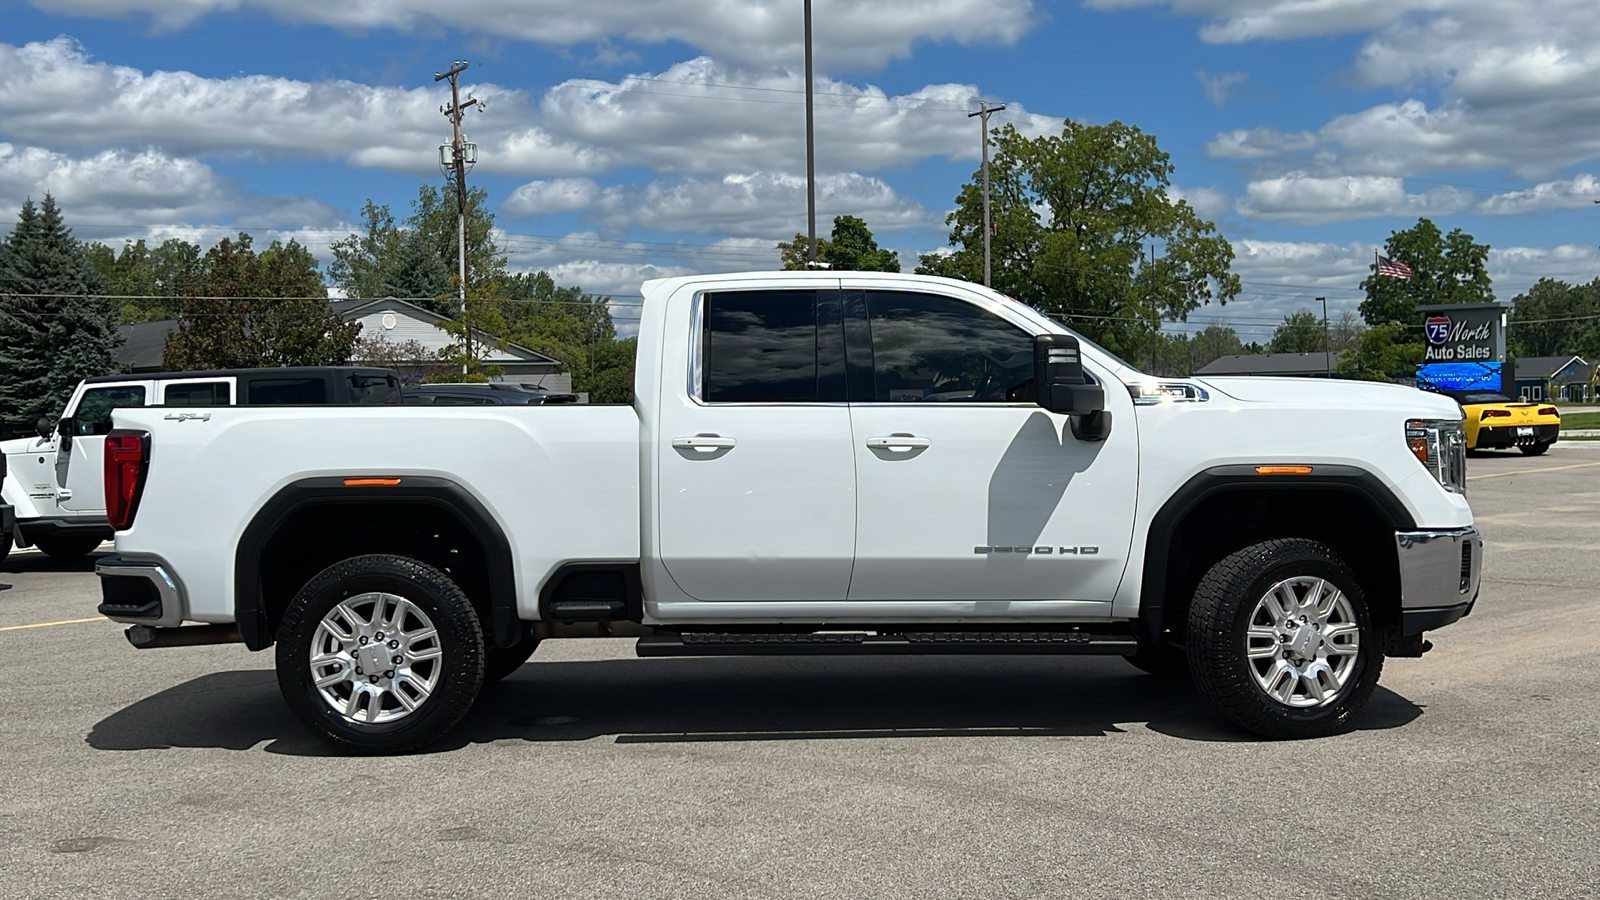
<point>1474,773</point>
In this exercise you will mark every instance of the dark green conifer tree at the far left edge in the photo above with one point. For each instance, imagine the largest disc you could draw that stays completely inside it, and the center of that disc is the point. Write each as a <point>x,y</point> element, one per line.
<point>55,324</point>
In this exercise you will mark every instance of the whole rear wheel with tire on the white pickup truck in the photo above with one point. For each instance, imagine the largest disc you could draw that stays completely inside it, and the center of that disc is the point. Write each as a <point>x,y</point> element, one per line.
<point>380,654</point>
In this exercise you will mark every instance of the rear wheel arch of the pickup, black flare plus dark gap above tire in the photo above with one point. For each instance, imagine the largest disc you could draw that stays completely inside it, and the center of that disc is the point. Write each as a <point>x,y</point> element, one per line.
<point>314,523</point>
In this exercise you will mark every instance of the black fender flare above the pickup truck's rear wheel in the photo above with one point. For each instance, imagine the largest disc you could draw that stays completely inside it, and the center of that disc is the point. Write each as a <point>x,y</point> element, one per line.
<point>425,491</point>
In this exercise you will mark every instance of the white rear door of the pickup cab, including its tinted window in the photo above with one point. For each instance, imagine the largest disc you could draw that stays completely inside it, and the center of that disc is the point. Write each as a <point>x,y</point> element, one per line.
<point>756,473</point>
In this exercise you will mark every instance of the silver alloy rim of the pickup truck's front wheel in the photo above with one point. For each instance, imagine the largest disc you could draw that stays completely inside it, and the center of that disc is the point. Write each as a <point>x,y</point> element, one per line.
<point>1303,641</point>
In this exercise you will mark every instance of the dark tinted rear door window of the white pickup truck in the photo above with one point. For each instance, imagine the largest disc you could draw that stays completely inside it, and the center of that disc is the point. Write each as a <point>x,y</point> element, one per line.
<point>774,347</point>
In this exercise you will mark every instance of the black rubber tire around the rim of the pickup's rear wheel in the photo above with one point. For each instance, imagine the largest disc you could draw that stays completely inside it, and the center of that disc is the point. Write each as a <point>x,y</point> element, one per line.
<point>460,640</point>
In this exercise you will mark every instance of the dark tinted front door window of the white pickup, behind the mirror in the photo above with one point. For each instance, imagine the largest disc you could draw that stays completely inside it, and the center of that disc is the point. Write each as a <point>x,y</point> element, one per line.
<point>929,348</point>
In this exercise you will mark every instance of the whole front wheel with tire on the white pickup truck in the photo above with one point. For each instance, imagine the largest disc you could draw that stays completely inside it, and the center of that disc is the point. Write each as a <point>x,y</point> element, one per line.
<point>1281,640</point>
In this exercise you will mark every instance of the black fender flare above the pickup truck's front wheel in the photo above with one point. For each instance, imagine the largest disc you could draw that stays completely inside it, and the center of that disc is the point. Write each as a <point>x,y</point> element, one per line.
<point>1225,480</point>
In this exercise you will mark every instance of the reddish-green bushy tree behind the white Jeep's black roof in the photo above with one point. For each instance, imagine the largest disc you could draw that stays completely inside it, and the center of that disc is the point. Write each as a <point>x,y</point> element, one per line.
<point>257,310</point>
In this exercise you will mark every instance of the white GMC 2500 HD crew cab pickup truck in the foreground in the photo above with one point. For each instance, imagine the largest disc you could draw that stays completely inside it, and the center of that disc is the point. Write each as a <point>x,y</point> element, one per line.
<point>815,464</point>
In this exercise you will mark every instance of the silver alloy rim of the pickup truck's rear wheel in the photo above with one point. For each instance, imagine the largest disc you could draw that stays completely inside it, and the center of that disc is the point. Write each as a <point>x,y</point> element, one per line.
<point>375,659</point>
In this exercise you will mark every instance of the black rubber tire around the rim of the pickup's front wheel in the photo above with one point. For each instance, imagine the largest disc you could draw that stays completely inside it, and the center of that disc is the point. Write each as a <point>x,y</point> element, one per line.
<point>1218,622</point>
